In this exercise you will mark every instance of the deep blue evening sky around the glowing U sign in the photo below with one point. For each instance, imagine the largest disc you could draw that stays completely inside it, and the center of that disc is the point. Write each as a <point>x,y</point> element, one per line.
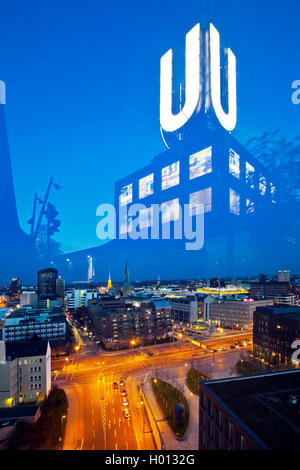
<point>83,89</point>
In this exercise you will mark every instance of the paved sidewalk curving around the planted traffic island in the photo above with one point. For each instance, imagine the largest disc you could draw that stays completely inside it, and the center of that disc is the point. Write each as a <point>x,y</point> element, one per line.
<point>191,440</point>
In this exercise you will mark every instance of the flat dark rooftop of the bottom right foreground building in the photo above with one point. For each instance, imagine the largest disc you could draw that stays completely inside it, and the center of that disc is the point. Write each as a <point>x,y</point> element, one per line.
<point>262,403</point>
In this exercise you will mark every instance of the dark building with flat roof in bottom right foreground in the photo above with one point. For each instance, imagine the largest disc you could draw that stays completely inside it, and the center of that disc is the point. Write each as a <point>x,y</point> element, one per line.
<point>251,413</point>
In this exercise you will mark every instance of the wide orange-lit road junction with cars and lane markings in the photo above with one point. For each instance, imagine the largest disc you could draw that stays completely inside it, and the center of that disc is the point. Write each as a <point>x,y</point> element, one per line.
<point>95,417</point>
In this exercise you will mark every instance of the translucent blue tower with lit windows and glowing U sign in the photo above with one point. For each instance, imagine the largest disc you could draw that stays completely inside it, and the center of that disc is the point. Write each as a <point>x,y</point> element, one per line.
<point>204,168</point>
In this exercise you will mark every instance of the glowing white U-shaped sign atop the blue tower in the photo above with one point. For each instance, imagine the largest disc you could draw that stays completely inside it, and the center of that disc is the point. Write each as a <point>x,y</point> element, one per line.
<point>193,90</point>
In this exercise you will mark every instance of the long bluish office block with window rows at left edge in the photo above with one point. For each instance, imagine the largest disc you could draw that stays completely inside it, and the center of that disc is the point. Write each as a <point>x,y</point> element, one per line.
<point>26,322</point>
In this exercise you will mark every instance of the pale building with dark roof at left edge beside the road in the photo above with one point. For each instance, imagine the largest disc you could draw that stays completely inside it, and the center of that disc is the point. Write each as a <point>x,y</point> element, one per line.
<point>25,372</point>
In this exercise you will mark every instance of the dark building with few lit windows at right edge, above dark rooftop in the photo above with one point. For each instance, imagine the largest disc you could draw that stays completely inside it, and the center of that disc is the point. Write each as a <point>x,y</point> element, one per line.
<point>275,329</point>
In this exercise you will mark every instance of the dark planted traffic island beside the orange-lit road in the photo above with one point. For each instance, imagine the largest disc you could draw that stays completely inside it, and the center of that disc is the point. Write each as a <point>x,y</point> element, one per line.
<point>168,397</point>
